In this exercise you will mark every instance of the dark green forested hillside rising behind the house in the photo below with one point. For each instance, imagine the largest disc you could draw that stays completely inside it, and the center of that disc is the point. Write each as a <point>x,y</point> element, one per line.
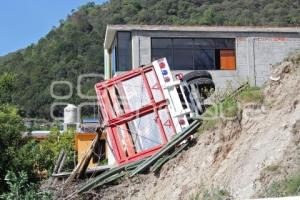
<point>75,47</point>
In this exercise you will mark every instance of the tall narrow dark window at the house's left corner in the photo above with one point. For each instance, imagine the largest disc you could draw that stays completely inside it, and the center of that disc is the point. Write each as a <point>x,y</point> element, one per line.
<point>124,58</point>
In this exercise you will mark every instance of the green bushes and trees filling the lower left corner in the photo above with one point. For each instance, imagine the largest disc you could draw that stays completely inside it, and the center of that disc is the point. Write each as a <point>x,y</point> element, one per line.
<point>24,155</point>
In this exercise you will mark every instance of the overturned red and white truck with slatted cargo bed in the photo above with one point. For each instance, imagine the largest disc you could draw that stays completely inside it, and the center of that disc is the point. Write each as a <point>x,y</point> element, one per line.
<point>144,108</point>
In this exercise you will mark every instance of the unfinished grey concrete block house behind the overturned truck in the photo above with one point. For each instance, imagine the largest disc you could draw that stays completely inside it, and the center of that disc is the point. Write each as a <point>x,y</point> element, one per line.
<point>231,54</point>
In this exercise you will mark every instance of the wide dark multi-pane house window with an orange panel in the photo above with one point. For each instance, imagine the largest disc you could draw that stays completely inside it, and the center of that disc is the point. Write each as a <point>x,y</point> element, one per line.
<point>196,53</point>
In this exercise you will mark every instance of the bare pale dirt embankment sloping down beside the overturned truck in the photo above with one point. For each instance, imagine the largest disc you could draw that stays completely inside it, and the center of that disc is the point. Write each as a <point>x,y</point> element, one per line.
<point>241,156</point>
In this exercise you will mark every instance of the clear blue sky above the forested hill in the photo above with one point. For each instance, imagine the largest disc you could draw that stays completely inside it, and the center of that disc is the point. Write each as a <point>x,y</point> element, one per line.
<point>23,22</point>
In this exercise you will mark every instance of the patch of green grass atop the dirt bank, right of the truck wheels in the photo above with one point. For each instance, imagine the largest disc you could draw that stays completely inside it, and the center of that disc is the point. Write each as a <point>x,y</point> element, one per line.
<point>251,95</point>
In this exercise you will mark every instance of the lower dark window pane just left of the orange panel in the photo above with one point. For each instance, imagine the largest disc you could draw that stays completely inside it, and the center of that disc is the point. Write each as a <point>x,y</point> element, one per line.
<point>204,59</point>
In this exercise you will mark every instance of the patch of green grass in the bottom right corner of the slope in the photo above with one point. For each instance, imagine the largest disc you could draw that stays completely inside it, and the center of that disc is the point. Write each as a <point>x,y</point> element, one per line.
<point>287,187</point>
